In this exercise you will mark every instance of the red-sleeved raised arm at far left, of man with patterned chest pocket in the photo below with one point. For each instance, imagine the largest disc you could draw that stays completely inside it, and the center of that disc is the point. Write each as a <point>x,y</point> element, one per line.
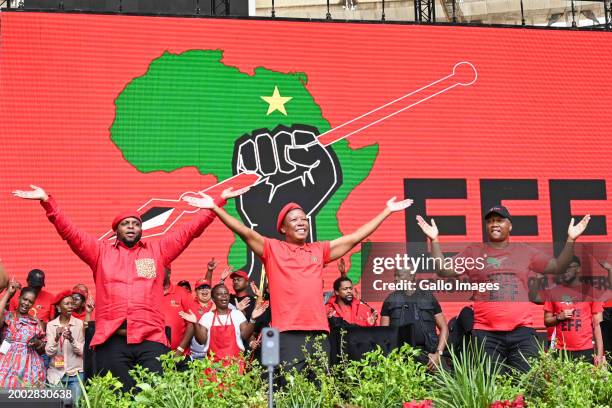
<point>84,245</point>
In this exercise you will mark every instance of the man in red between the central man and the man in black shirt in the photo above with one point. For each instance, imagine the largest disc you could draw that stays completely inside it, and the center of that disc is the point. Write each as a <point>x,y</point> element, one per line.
<point>343,309</point>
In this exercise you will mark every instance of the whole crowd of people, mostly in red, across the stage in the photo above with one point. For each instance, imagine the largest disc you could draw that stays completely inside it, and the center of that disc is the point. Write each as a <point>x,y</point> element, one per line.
<point>44,335</point>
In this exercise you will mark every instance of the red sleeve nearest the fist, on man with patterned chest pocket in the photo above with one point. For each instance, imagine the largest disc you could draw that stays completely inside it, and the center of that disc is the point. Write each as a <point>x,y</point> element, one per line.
<point>173,244</point>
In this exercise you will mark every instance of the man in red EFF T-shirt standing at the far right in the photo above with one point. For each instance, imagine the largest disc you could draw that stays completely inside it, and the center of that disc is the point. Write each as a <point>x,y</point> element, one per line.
<point>576,323</point>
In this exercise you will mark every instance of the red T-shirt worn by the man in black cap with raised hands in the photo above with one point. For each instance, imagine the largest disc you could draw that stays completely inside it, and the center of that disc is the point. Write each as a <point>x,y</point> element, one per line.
<point>511,267</point>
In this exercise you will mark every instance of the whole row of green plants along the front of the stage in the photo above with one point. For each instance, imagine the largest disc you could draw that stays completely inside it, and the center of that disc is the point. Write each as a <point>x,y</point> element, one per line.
<point>376,381</point>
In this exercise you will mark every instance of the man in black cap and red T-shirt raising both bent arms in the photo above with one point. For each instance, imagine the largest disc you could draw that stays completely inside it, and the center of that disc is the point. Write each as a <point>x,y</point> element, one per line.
<point>503,321</point>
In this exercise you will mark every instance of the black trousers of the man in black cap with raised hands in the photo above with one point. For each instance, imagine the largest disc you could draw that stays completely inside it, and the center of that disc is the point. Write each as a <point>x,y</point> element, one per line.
<point>510,348</point>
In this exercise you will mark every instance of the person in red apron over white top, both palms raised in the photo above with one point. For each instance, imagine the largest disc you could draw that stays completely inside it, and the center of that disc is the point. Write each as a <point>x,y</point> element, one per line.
<point>223,330</point>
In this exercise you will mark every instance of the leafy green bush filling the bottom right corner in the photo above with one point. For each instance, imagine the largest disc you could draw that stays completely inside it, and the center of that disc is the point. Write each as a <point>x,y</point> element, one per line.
<point>555,381</point>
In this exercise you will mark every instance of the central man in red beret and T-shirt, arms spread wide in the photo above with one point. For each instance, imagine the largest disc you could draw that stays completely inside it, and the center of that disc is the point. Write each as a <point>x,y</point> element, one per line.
<point>295,272</point>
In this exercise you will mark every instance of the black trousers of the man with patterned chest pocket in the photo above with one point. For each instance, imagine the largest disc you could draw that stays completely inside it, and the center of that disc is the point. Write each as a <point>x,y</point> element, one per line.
<point>119,357</point>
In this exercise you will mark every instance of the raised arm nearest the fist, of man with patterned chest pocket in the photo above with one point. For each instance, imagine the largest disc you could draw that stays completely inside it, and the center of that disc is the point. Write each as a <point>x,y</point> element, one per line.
<point>174,244</point>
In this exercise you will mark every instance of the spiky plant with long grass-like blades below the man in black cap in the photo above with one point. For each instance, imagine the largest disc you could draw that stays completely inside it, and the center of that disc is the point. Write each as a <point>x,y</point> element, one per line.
<point>474,382</point>
